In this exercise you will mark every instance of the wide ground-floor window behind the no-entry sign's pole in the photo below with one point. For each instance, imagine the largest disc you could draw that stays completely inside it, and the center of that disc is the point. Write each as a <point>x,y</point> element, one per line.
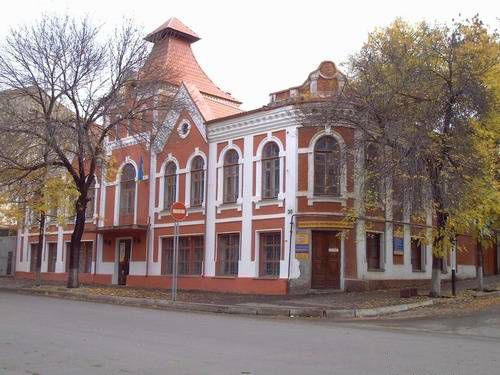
<point>190,261</point>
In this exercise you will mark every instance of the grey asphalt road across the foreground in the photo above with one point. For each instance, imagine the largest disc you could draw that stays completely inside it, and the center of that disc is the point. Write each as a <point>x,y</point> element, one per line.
<point>40,335</point>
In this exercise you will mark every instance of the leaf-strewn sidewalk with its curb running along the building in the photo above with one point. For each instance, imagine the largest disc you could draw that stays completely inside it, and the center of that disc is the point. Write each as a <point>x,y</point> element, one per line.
<point>333,305</point>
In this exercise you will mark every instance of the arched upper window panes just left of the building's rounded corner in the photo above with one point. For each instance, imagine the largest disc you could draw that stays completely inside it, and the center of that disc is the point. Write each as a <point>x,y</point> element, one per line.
<point>270,171</point>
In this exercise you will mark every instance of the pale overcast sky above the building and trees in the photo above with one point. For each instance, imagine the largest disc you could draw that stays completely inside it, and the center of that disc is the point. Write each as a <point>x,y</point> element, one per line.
<point>251,48</point>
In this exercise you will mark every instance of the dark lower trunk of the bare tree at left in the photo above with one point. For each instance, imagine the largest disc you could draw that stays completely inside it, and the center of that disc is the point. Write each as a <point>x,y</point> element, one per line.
<point>75,244</point>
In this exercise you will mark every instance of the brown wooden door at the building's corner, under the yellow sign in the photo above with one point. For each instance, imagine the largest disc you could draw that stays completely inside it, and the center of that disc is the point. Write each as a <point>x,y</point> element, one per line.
<point>325,260</point>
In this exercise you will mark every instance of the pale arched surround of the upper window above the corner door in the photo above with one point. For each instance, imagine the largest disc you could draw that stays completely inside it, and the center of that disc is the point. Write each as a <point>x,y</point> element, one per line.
<point>311,198</point>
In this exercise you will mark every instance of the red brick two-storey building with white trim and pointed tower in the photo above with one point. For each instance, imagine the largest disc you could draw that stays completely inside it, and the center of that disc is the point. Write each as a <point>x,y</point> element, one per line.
<point>266,198</point>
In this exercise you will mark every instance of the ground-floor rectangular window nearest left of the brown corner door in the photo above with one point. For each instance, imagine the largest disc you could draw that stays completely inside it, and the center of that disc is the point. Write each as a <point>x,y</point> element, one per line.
<point>270,254</point>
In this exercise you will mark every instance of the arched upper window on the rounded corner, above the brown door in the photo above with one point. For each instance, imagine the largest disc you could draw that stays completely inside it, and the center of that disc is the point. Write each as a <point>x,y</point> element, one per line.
<point>327,167</point>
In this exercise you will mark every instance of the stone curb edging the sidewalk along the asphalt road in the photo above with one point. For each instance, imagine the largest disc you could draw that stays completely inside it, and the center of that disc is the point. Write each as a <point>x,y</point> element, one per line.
<point>294,312</point>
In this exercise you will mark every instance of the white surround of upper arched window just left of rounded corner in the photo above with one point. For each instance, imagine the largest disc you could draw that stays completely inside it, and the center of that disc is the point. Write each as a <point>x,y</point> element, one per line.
<point>258,174</point>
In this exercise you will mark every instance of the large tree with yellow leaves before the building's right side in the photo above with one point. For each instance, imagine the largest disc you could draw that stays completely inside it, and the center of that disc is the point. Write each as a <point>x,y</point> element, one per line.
<point>417,92</point>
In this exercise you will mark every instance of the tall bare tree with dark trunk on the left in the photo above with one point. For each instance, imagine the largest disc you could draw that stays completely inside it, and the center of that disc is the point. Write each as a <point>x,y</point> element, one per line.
<point>83,86</point>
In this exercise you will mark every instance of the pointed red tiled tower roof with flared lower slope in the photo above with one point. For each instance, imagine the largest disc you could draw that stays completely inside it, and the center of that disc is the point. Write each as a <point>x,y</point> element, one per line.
<point>172,54</point>
